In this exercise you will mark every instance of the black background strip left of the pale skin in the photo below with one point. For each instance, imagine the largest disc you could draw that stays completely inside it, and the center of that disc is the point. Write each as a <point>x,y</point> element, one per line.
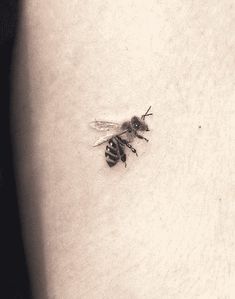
<point>14,270</point>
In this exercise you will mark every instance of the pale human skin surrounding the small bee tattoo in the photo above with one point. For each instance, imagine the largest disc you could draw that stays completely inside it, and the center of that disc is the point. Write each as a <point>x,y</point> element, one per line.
<point>163,227</point>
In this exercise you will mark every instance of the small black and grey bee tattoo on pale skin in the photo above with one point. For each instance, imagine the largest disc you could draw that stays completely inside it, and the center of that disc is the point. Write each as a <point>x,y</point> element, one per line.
<point>120,136</point>
